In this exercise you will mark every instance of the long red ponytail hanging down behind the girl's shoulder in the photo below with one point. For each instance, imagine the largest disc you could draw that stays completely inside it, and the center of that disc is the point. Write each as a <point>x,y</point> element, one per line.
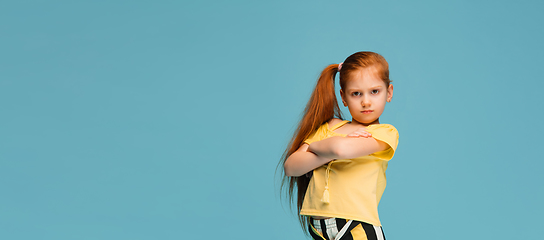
<point>321,108</point>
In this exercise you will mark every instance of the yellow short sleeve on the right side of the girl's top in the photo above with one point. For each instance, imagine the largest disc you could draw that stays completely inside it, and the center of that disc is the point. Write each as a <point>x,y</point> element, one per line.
<point>388,134</point>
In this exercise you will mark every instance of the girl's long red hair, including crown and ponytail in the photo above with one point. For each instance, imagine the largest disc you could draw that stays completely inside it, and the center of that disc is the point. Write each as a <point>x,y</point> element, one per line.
<point>321,108</point>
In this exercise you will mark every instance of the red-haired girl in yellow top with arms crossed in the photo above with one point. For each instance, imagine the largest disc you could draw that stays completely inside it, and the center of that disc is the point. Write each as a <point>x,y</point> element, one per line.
<point>338,166</point>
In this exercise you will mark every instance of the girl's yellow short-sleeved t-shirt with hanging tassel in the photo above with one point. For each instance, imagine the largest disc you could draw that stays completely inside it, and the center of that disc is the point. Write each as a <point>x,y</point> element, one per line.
<point>355,186</point>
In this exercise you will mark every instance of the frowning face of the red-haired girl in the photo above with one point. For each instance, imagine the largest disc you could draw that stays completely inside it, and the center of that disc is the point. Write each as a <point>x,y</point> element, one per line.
<point>365,95</point>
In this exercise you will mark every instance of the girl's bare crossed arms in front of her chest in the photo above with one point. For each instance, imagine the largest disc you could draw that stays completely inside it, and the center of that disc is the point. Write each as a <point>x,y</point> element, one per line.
<point>309,157</point>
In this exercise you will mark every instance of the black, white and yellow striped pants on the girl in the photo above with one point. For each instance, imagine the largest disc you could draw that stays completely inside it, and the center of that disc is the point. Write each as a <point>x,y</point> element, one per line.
<point>342,229</point>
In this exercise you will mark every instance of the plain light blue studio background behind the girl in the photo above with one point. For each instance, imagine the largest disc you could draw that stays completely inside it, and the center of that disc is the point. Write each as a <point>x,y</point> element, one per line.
<point>166,119</point>
